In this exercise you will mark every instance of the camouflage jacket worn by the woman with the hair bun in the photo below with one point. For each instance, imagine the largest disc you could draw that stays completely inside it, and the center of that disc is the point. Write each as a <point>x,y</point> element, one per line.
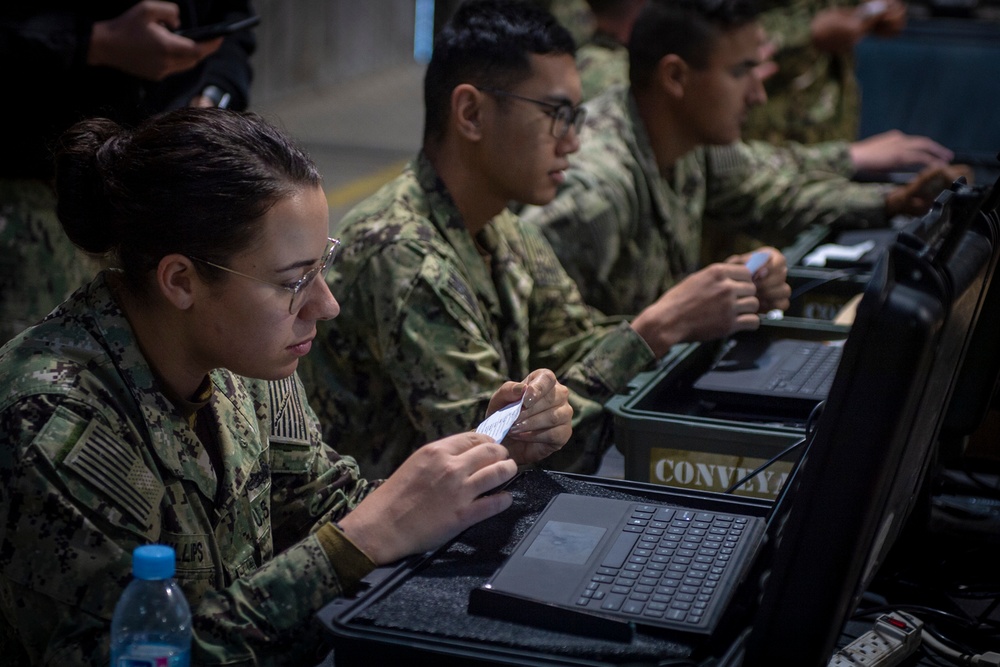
<point>95,460</point>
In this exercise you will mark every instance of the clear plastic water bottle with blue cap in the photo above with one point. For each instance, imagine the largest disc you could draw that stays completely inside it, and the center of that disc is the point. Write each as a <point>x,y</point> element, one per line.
<point>152,622</point>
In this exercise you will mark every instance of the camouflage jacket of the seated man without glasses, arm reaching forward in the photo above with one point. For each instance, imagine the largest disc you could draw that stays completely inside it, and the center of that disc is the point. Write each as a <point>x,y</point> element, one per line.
<point>626,233</point>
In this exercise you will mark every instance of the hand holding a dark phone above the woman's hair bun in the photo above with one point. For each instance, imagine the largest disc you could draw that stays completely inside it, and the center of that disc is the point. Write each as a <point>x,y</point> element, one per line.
<point>140,42</point>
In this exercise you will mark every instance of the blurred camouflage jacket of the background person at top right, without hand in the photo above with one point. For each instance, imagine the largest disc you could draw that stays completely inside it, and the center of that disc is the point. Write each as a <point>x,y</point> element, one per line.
<point>814,95</point>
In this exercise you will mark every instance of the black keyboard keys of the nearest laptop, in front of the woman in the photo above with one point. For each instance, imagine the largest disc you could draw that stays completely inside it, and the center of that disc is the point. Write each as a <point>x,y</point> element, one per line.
<point>669,567</point>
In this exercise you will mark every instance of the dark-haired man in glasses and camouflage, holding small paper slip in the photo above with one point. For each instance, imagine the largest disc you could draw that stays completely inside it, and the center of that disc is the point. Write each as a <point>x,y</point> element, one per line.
<point>444,291</point>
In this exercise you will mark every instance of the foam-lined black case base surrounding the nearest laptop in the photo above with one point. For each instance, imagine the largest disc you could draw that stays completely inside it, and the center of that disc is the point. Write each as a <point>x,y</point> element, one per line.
<point>418,610</point>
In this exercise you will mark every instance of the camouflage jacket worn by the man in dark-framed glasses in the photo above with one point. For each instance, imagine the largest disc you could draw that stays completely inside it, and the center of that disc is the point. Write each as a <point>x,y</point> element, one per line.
<point>430,328</point>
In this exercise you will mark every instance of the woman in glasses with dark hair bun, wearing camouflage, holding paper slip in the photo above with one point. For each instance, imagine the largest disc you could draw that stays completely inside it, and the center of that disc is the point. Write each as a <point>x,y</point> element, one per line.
<point>159,404</point>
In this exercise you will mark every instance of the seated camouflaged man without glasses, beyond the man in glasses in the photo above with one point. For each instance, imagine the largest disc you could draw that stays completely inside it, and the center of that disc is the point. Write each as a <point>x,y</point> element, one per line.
<point>660,187</point>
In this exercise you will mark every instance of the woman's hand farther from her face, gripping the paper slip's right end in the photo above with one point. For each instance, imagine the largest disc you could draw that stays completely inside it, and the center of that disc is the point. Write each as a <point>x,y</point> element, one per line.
<point>545,422</point>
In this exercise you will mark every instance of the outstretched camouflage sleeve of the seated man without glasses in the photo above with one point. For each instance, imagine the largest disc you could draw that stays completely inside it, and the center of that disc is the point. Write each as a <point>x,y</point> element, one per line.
<point>761,193</point>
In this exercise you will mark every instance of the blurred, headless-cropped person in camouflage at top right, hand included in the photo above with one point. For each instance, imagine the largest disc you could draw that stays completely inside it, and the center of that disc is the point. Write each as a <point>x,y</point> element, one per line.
<point>814,95</point>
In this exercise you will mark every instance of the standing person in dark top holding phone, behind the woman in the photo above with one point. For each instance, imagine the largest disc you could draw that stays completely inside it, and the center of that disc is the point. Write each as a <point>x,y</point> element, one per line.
<point>70,61</point>
